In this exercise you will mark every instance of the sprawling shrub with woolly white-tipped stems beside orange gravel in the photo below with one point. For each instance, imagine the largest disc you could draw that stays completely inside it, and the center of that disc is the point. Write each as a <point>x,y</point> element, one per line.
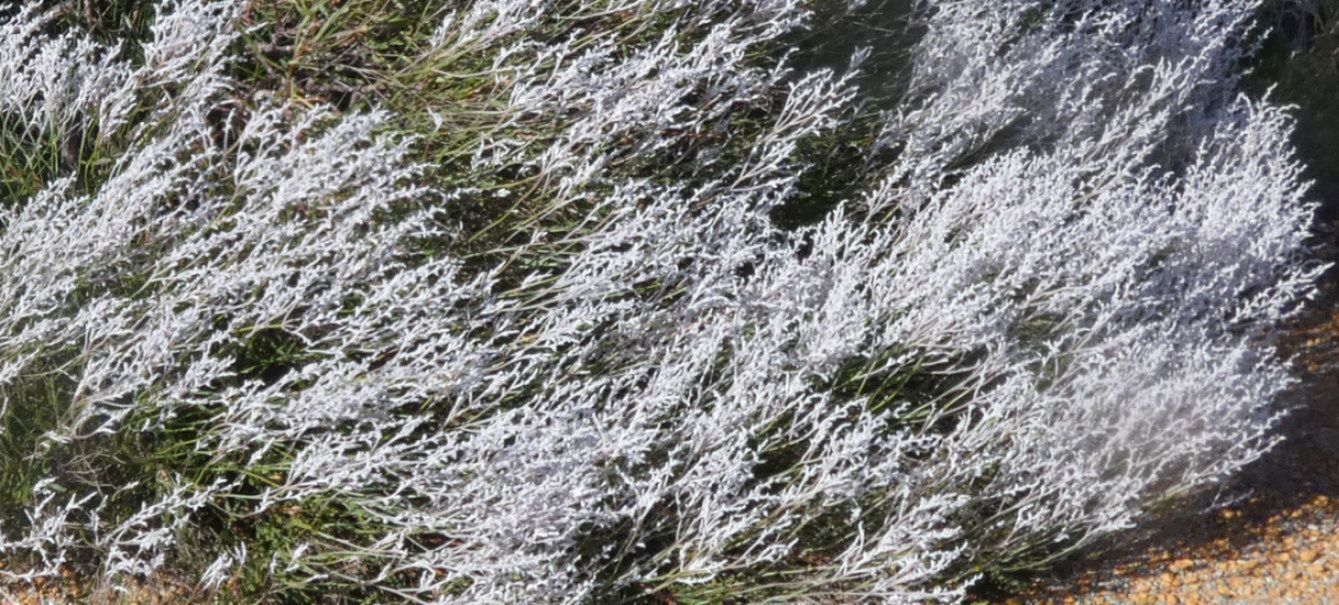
<point>558,347</point>
